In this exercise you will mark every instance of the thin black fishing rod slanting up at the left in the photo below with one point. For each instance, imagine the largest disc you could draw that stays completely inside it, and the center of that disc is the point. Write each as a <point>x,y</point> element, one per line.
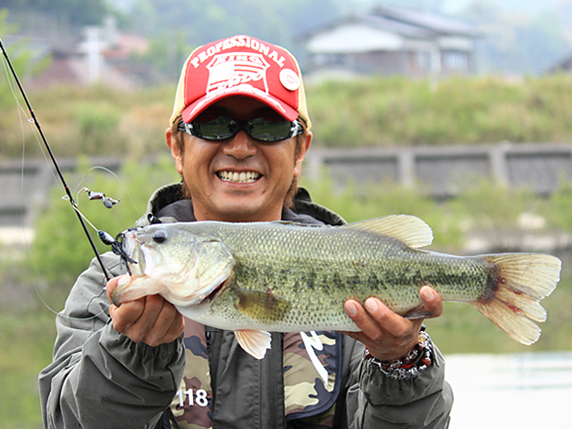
<point>102,234</point>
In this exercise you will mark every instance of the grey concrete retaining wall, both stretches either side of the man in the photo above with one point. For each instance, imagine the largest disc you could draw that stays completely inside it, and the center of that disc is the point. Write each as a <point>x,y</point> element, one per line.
<point>440,170</point>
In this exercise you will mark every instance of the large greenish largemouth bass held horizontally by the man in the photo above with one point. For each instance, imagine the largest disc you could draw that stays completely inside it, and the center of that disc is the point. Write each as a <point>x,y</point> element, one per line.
<point>252,278</point>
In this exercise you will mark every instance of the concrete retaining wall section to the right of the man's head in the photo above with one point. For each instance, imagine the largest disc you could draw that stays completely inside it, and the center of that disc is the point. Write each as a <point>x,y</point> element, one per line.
<point>444,170</point>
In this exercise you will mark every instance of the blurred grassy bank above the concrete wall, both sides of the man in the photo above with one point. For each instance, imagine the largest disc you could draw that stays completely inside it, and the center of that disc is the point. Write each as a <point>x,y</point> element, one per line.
<point>365,112</point>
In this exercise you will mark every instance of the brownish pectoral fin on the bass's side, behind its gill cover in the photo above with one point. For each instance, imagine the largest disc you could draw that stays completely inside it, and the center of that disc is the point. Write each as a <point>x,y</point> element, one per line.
<point>261,305</point>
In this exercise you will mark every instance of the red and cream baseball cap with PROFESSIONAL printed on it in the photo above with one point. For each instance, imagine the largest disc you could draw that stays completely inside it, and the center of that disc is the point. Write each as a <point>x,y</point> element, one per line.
<point>241,65</point>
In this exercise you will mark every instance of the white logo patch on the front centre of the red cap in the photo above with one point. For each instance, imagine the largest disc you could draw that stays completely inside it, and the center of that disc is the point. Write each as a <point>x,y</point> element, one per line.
<point>230,70</point>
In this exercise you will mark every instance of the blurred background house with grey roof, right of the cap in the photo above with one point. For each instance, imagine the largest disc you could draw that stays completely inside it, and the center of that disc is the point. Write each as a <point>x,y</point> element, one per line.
<point>393,41</point>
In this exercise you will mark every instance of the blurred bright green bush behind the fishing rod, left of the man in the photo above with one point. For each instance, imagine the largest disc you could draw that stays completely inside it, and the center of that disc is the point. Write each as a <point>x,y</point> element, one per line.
<point>60,251</point>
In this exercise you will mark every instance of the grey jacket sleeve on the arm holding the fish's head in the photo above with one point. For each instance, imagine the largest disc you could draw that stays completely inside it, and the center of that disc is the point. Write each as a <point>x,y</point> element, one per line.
<point>98,377</point>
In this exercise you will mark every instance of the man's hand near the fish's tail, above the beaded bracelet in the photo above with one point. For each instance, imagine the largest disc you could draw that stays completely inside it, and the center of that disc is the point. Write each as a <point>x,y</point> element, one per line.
<point>386,334</point>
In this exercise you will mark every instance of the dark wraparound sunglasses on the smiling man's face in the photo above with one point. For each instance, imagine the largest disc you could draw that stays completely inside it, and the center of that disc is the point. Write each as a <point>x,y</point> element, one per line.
<point>264,128</point>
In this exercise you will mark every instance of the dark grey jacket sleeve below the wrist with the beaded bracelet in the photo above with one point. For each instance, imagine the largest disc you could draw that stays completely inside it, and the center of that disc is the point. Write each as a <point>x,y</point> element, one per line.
<point>374,400</point>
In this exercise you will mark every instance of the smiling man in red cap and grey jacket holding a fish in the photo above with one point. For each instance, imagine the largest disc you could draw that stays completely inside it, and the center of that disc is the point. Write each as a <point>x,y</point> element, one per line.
<point>239,133</point>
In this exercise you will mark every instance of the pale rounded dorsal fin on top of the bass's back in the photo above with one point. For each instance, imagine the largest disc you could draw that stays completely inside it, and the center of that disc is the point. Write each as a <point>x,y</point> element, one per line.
<point>408,229</point>
